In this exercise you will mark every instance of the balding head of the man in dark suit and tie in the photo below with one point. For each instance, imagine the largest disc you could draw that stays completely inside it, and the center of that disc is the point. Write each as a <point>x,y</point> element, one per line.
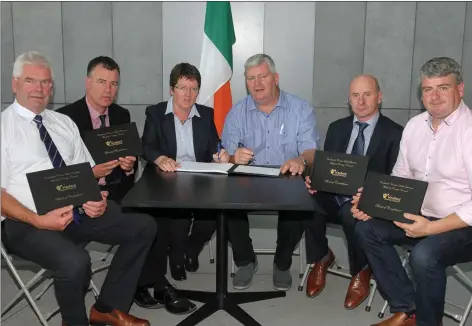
<point>364,96</point>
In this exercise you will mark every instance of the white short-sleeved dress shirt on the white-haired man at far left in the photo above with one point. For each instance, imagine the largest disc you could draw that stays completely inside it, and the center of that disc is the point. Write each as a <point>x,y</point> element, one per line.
<point>22,150</point>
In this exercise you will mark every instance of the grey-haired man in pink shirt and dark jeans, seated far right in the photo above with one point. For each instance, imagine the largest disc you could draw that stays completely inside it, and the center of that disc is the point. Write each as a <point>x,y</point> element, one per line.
<point>435,148</point>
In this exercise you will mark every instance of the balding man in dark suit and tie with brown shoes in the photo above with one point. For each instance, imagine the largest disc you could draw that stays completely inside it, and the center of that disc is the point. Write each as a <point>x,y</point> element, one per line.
<point>366,133</point>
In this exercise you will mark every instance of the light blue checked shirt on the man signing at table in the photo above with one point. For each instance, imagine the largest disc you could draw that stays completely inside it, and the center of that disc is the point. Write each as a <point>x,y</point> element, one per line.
<point>285,133</point>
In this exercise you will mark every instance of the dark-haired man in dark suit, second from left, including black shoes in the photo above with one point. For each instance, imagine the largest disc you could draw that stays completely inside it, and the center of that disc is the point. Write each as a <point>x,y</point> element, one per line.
<point>97,110</point>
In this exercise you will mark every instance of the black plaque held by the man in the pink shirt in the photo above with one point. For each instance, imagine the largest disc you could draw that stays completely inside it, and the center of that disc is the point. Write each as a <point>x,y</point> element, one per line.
<point>389,197</point>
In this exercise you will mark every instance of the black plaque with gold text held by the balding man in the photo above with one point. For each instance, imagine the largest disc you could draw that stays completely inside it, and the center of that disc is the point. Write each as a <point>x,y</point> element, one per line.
<point>338,173</point>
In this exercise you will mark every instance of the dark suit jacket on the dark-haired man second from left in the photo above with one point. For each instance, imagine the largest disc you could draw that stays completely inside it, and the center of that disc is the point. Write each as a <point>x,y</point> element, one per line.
<point>79,113</point>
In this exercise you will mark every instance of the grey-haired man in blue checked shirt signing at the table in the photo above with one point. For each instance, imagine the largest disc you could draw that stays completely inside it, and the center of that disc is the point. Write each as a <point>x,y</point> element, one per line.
<point>268,127</point>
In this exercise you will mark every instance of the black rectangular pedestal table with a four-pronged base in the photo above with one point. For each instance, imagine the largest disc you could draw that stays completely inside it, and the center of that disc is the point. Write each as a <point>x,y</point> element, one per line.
<point>184,190</point>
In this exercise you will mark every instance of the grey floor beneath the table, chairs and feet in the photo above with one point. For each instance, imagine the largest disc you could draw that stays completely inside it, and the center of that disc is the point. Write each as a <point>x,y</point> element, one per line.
<point>295,309</point>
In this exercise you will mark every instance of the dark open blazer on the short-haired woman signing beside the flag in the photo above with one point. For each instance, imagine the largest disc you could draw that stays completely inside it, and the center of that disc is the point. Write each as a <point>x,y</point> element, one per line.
<point>159,137</point>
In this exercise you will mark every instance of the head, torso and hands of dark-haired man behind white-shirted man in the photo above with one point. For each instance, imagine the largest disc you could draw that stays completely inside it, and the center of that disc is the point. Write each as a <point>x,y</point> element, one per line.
<point>97,110</point>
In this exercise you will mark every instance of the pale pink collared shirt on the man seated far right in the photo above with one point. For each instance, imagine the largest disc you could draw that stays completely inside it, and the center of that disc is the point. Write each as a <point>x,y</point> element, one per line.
<point>443,159</point>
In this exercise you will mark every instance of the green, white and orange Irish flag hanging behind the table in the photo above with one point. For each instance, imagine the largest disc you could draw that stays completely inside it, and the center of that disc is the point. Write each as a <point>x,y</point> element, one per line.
<point>216,64</point>
